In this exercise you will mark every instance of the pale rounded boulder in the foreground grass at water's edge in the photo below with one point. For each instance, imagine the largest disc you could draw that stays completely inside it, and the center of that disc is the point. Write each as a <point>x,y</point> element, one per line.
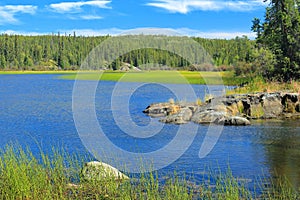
<point>99,171</point>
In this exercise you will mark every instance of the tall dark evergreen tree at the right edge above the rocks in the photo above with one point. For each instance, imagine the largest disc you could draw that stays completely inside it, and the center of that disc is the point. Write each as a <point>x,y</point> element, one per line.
<point>280,32</point>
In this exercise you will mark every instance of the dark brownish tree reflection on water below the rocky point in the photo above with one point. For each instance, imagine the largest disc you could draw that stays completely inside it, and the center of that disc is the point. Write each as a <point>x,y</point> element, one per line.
<point>281,141</point>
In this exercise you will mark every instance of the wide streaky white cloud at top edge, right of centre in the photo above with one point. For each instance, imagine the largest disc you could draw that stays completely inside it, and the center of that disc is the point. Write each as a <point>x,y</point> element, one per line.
<point>186,6</point>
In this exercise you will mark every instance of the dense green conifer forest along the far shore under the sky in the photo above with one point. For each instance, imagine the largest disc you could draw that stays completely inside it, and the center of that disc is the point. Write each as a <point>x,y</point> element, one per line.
<point>65,52</point>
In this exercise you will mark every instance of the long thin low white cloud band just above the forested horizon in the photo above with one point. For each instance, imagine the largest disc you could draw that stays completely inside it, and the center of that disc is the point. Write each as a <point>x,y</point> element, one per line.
<point>145,31</point>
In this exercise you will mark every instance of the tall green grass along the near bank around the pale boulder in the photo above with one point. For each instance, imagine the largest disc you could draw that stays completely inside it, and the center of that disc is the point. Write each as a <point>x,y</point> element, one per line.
<point>23,176</point>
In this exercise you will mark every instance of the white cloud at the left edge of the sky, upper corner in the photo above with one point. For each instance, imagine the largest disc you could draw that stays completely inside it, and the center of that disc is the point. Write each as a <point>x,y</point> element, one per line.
<point>8,12</point>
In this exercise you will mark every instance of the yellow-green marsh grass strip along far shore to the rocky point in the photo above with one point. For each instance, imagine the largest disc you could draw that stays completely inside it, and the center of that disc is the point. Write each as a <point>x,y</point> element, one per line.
<point>244,84</point>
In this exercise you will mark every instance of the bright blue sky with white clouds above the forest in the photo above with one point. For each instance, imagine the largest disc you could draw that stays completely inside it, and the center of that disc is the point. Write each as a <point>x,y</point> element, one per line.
<point>203,18</point>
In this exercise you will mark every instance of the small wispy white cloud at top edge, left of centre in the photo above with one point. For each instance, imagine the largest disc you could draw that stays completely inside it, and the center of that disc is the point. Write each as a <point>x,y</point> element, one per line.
<point>76,7</point>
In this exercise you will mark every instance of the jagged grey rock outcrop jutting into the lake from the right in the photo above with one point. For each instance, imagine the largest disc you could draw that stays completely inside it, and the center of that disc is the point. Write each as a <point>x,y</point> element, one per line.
<point>235,110</point>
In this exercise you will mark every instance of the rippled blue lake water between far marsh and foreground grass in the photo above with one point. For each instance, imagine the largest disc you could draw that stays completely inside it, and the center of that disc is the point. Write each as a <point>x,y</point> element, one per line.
<point>36,111</point>
